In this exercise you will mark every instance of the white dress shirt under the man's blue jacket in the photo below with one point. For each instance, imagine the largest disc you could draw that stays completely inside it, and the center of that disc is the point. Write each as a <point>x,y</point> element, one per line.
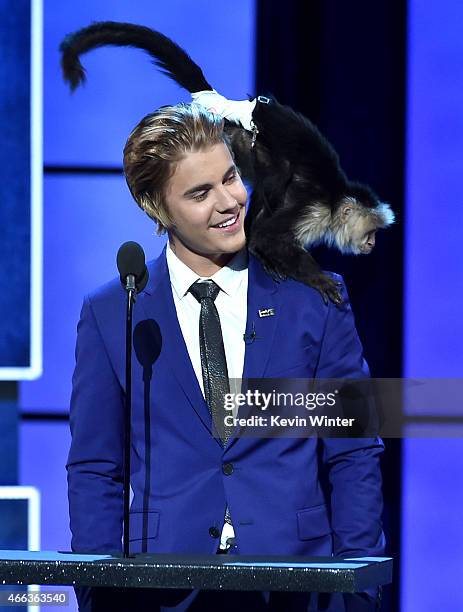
<point>231,304</point>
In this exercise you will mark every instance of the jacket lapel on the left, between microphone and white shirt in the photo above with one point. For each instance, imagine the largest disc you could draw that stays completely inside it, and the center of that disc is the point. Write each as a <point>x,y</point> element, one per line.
<point>158,304</point>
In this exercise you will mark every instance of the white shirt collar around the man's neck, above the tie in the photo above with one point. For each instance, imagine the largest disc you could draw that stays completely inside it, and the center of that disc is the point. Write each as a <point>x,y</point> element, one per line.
<point>228,278</point>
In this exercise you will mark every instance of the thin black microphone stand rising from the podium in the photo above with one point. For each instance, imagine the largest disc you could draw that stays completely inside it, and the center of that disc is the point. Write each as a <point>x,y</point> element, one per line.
<point>131,297</point>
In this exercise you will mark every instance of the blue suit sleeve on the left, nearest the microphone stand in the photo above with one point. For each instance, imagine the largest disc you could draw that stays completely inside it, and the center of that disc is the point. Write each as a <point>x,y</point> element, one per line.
<point>95,462</point>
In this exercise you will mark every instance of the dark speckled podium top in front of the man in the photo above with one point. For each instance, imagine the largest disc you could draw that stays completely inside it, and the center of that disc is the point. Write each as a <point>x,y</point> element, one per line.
<point>209,572</point>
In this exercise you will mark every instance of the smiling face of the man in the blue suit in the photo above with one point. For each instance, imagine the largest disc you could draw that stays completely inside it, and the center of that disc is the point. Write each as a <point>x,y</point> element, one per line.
<point>205,191</point>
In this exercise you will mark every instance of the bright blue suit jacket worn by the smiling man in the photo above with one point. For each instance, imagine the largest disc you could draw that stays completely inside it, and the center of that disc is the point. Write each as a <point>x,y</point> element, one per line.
<point>275,493</point>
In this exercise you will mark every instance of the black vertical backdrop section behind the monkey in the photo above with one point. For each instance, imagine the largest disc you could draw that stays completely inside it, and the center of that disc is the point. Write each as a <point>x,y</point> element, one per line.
<point>343,65</point>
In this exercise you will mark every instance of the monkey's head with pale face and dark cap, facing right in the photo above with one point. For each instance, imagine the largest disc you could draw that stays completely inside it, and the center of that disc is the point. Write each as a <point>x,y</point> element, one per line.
<point>356,218</point>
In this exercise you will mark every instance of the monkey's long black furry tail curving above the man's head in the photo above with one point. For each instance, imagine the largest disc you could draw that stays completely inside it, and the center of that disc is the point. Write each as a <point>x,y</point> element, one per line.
<point>167,55</point>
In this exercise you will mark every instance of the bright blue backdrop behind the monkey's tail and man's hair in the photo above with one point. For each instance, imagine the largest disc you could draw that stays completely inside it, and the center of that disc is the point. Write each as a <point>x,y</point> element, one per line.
<point>87,216</point>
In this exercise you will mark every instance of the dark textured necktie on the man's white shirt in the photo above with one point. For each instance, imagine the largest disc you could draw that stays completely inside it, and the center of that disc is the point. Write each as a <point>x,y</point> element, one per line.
<point>213,360</point>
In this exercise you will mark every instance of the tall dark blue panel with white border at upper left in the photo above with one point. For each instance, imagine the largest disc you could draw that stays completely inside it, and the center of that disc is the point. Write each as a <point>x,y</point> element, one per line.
<point>20,171</point>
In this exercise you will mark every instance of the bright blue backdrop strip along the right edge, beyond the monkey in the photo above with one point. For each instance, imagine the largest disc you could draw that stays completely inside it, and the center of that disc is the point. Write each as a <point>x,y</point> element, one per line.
<point>432,535</point>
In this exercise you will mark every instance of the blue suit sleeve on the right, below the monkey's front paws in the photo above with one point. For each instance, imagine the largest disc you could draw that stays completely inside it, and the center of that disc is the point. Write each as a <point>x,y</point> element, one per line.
<point>352,463</point>
